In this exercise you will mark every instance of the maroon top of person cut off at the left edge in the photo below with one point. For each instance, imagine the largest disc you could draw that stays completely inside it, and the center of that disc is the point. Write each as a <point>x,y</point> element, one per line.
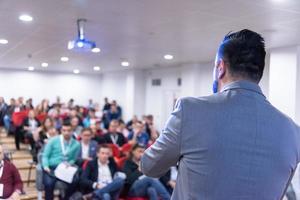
<point>10,179</point>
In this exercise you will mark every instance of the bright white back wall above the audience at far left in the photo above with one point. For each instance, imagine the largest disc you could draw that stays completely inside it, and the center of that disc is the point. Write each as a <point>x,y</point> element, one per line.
<point>39,85</point>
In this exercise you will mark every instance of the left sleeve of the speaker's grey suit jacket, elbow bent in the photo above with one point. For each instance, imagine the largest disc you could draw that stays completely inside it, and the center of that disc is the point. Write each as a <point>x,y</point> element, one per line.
<point>165,152</point>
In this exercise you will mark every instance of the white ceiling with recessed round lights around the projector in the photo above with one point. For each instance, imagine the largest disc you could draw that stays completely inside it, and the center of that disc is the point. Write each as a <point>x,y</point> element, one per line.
<point>137,30</point>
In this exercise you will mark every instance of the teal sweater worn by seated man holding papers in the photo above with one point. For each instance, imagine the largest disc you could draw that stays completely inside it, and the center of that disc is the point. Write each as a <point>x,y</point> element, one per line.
<point>53,155</point>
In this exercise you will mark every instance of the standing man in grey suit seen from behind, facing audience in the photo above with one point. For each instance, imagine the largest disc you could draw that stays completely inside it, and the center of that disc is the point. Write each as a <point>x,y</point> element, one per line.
<point>233,145</point>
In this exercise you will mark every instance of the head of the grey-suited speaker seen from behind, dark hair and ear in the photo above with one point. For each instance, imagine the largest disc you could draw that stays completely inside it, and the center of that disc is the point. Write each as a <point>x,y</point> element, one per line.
<point>241,56</point>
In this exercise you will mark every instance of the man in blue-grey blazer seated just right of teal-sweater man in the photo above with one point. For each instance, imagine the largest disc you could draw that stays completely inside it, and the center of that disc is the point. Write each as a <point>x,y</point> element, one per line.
<point>88,147</point>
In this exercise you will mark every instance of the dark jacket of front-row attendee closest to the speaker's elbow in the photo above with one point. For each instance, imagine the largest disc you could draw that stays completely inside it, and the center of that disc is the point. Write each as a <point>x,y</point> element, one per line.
<point>131,171</point>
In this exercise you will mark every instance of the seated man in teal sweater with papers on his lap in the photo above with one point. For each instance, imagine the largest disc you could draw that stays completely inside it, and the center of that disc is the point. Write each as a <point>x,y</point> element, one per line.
<point>61,148</point>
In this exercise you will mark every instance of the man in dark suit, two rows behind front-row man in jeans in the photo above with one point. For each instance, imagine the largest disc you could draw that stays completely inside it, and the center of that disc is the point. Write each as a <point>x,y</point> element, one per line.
<point>113,137</point>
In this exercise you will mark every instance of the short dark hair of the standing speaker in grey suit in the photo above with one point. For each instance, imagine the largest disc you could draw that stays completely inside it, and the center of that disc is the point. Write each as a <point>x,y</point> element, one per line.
<point>245,53</point>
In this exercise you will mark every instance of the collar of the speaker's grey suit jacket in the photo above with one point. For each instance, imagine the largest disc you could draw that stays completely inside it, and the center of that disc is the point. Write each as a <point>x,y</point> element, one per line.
<point>244,85</point>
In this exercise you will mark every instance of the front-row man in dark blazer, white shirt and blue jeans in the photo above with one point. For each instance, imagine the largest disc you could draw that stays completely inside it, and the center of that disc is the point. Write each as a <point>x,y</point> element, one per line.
<point>100,178</point>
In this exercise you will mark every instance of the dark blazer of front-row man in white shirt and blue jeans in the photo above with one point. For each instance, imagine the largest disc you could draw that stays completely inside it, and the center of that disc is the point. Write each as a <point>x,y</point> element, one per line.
<point>90,175</point>
